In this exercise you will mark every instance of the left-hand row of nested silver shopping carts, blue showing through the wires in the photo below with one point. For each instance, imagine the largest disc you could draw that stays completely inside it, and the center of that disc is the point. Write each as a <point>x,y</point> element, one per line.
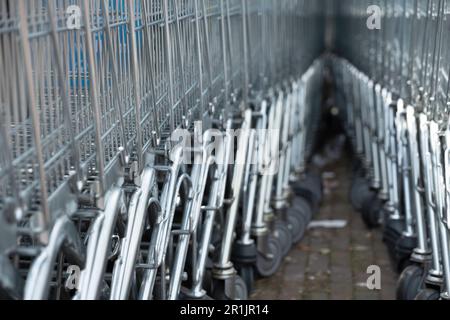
<point>153,149</point>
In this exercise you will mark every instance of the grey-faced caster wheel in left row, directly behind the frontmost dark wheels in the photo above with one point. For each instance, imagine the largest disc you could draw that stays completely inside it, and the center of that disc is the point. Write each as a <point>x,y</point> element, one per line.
<point>268,263</point>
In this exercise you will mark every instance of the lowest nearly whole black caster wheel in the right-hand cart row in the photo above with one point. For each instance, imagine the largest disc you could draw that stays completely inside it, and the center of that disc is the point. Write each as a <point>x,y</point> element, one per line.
<point>410,282</point>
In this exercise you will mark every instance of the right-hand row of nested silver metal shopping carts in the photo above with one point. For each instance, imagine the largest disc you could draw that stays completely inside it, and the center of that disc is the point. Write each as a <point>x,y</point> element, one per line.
<point>393,90</point>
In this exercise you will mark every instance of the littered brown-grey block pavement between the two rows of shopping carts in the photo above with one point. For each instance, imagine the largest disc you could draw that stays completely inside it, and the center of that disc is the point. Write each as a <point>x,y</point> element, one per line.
<point>332,263</point>
